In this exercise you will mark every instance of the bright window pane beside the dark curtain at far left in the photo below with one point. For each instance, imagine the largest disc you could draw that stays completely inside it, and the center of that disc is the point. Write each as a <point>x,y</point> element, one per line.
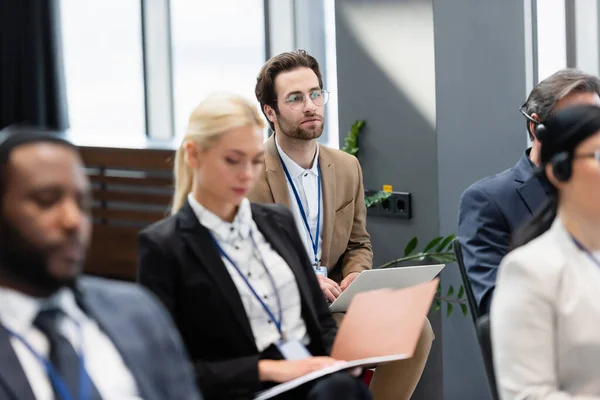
<point>104,70</point>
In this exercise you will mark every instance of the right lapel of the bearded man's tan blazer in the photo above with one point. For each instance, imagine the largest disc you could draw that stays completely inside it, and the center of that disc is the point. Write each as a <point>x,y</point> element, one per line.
<point>328,186</point>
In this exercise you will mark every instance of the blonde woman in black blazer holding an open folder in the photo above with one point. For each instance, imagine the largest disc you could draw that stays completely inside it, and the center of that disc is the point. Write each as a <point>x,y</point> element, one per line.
<point>234,275</point>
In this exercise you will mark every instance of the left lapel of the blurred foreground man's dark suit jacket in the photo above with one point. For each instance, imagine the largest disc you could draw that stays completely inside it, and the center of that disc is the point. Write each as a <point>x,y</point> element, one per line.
<point>12,376</point>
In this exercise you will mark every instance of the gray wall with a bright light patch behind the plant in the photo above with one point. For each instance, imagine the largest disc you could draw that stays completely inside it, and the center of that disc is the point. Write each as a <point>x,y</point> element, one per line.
<point>439,83</point>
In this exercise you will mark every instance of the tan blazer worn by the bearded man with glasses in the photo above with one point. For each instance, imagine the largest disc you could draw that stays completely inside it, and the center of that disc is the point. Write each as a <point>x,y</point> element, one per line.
<point>346,242</point>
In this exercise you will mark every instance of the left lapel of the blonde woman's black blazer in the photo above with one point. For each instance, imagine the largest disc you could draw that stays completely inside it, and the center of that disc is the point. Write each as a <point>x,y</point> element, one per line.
<point>201,243</point>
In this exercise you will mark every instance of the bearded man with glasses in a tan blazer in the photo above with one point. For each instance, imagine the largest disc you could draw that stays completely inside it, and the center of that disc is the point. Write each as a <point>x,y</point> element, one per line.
<point>324,189</point>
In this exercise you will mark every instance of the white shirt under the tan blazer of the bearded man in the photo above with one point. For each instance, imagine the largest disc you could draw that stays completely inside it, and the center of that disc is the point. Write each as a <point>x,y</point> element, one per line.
<point>306,182</point>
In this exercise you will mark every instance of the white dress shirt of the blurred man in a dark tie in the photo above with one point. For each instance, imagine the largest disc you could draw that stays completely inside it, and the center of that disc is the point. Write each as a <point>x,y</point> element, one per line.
<point>103,362</point>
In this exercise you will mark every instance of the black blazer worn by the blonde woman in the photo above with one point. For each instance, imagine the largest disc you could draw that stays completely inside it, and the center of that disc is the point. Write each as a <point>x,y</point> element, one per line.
<point>179,262</point>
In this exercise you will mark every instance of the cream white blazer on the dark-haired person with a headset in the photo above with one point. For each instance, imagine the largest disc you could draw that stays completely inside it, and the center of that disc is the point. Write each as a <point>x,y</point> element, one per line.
<point>544,319</point>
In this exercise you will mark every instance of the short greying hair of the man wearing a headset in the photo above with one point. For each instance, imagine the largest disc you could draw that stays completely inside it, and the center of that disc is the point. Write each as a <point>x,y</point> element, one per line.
<point>546,94</point>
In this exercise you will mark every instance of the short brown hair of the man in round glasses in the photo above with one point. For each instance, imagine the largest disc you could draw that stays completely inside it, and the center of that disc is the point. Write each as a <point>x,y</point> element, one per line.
<point>265,81</point>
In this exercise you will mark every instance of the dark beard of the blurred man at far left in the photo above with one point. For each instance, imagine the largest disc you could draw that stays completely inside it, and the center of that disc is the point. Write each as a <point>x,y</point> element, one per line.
<point>25,262</point>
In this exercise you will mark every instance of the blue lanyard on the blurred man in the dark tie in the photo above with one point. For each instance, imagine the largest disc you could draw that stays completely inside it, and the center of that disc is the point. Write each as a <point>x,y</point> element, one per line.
<point>55,379</point>
